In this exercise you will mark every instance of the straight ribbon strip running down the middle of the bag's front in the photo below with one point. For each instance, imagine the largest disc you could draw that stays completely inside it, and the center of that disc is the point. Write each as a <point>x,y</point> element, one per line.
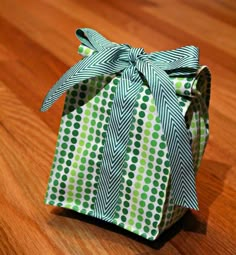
<point>116,142</point>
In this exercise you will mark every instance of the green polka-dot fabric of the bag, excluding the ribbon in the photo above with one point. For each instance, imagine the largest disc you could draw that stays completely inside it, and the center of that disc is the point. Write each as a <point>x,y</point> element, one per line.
<point>145,205</point>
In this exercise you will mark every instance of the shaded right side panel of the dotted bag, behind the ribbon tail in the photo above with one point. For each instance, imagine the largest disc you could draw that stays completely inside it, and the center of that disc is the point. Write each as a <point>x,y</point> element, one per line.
<point>197,121</point>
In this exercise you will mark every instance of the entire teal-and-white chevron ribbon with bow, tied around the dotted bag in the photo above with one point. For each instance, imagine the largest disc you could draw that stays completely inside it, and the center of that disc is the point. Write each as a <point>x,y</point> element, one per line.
<point>134,64</point>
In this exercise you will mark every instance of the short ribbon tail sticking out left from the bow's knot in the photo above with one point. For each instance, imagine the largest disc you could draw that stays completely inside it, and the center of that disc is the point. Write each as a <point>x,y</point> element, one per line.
<point>99,63</point>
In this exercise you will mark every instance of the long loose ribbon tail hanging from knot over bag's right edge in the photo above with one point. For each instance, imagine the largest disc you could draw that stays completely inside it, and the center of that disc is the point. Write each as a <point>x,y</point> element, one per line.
<point>182,171</point>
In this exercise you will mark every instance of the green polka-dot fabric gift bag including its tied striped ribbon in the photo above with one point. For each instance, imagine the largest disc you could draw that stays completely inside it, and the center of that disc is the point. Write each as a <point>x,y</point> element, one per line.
<point>132,134</point>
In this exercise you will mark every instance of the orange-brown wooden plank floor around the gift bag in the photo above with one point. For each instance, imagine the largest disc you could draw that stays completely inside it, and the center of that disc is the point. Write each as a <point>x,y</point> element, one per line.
<point>37,44</point>
